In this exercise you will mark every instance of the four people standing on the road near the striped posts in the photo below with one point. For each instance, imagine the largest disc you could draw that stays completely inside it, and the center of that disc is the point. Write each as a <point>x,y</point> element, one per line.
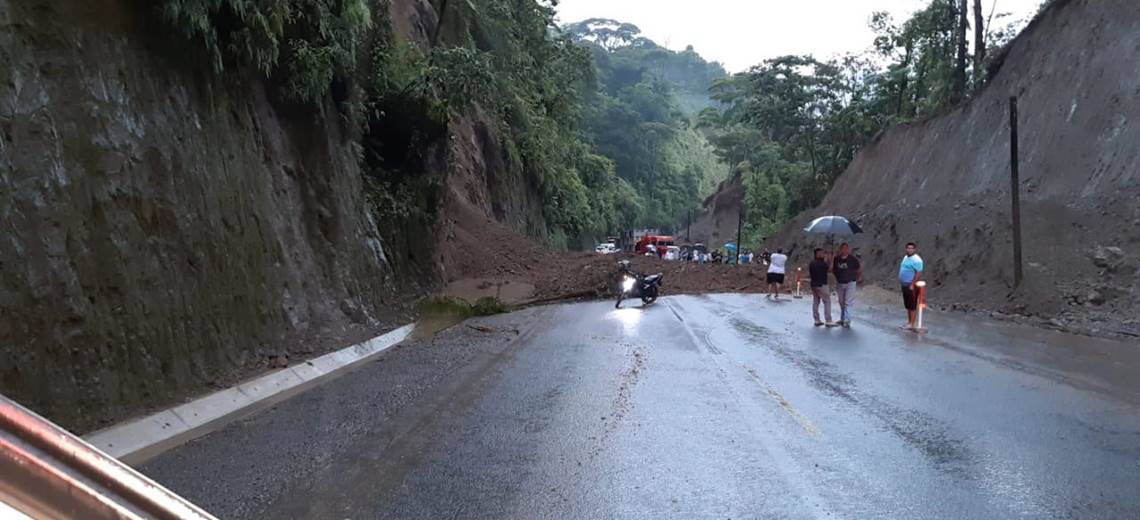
<point>849,274</point>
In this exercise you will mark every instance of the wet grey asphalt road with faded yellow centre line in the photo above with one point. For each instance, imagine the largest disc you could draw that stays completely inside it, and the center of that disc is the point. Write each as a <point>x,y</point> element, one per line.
<point>721,407</point>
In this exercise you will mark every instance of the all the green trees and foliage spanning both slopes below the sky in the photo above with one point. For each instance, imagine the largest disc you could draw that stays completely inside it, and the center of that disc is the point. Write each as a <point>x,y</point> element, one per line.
<point>614,131</point>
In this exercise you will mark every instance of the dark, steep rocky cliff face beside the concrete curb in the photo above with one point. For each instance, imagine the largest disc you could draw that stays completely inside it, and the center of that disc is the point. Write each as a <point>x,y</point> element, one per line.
<point>165,229</point>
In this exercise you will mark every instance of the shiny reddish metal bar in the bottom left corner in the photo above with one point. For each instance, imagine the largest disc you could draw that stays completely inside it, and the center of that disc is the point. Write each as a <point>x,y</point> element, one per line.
<point>47,473</point>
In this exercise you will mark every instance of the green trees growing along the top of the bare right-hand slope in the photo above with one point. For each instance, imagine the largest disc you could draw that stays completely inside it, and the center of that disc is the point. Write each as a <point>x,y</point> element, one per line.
<point>792,125</point>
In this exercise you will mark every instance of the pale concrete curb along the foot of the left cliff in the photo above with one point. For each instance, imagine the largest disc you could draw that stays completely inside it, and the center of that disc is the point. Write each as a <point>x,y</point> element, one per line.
<point>135,442</point>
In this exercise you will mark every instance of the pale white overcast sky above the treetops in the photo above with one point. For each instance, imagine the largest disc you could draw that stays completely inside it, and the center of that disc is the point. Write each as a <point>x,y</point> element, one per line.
<point>742,34</point>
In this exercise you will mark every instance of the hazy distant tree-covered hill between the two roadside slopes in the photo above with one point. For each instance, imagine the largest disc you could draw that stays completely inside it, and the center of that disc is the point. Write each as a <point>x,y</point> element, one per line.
<point>642,118</point>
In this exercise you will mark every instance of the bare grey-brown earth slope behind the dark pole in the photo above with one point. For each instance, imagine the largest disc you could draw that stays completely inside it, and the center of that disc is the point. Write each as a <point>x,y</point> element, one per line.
<point>944,182</point>
